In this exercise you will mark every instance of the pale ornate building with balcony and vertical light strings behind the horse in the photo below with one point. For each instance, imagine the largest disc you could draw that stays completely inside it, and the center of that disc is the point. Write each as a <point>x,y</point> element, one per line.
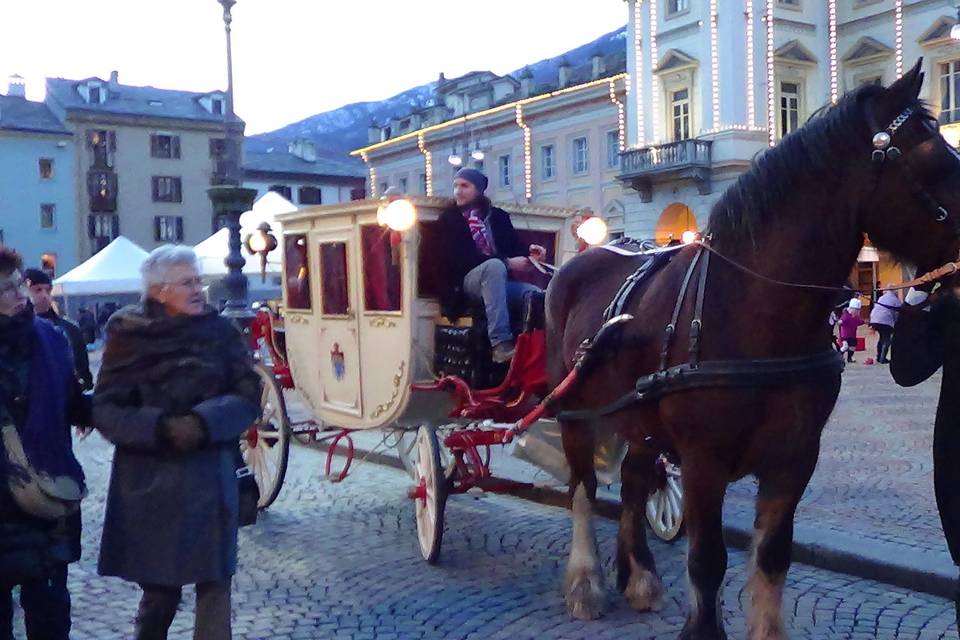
<point>715,82</point>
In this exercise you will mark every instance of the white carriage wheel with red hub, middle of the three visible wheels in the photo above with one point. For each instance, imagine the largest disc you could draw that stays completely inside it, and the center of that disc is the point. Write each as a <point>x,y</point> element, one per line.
<point>429,493</point>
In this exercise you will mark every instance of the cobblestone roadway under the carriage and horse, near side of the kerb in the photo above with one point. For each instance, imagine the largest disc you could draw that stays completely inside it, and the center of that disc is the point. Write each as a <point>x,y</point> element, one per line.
<point>341,561</point>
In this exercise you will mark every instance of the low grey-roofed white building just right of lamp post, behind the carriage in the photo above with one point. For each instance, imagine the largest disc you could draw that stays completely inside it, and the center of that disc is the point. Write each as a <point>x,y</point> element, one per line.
<point>302,177</point>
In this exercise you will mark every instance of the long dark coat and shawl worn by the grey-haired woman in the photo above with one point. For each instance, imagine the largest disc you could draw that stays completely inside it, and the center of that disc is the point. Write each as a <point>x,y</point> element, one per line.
<point>172,517</point>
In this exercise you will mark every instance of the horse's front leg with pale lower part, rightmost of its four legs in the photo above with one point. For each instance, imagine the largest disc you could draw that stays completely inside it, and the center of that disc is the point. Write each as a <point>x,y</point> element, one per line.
<point>777,498</point>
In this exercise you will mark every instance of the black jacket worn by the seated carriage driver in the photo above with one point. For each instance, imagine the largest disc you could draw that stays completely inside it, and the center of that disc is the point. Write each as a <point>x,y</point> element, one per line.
<point>459,253</point>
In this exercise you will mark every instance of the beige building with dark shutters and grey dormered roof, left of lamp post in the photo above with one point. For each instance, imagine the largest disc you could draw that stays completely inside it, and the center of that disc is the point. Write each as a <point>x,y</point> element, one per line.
<point>144,158</point>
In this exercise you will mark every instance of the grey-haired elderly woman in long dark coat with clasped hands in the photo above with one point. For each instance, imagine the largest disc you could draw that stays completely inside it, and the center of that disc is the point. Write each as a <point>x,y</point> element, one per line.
<point>175,392</point>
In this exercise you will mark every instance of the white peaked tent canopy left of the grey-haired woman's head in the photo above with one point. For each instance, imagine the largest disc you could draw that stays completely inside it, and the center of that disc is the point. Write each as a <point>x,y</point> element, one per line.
<point>114,269</point>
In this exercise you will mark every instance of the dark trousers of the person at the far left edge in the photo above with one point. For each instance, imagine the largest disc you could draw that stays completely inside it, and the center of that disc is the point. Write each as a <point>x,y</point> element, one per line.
<point>46,608</point>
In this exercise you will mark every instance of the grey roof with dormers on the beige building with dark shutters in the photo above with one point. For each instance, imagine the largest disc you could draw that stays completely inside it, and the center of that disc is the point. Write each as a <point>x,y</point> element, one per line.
<point>133,101</point>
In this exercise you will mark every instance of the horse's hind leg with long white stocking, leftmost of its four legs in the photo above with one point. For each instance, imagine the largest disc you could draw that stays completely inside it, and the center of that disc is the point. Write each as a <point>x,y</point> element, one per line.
<point>583,586</point>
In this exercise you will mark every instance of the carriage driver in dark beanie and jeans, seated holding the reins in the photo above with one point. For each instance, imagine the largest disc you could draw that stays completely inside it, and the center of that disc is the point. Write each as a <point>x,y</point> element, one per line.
<point>479,249</point>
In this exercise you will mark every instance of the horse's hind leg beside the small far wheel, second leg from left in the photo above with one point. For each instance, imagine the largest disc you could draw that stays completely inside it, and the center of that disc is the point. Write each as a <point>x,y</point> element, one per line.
<point>637,575</point>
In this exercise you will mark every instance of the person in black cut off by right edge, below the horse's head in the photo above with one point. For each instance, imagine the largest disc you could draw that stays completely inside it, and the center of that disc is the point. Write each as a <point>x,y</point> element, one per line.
<point>927,338</point>
